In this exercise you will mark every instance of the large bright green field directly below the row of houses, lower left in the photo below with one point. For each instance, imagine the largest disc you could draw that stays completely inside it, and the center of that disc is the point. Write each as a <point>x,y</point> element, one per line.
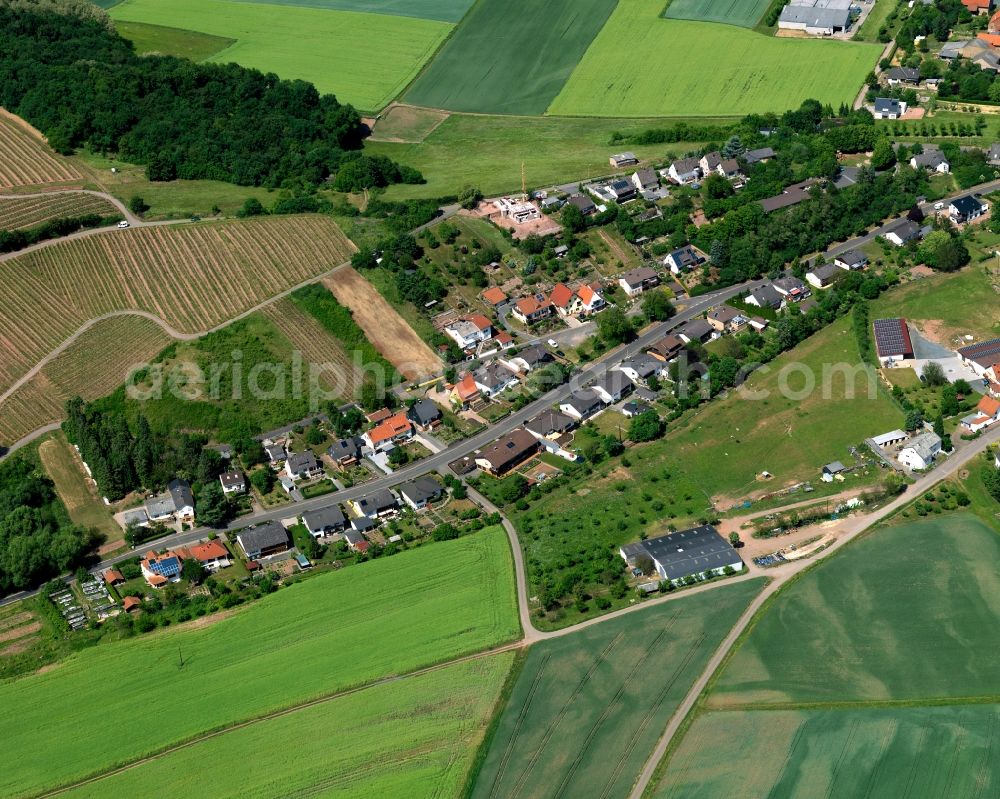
<point>121,701</point>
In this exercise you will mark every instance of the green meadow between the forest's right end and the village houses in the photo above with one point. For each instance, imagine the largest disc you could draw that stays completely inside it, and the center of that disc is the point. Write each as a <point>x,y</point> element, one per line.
<point>552,149</point>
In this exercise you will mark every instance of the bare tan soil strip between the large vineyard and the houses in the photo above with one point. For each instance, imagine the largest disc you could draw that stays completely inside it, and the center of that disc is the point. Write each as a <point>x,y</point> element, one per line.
<point>384,327</point>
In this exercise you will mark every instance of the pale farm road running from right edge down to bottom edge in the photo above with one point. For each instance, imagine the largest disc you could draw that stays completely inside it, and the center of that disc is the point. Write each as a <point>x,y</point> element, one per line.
<point>781,575</point>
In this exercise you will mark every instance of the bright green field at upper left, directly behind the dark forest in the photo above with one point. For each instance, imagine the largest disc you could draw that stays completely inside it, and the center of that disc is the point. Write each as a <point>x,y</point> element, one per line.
<point>365,59</point>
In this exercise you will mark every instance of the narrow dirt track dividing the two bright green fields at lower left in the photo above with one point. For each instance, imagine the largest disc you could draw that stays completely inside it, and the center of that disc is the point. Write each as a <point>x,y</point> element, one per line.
<point>287,711</point>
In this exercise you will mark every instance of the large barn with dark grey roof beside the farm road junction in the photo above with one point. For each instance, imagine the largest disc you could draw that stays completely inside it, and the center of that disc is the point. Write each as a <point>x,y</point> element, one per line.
<point>681,554</point>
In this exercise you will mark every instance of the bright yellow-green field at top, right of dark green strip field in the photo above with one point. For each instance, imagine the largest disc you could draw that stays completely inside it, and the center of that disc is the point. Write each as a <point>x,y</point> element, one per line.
<point>643,65</point>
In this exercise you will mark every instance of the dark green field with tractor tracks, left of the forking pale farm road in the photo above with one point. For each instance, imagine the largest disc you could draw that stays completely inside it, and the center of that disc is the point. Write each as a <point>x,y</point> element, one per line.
<point>588,708</point>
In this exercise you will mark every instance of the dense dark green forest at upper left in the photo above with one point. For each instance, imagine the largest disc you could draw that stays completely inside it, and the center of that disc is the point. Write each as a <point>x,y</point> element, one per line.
<point>65,70</point>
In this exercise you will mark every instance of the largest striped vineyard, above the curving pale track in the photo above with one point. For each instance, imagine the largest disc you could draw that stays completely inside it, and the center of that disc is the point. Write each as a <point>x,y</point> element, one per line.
<point>193,277</point>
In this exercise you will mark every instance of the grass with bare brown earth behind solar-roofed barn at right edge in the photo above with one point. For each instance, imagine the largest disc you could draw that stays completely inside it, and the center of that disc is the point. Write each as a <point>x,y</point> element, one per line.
<point>948,307</point>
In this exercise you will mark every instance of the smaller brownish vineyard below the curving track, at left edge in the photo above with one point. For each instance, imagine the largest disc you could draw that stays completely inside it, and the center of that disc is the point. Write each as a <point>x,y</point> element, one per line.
<point>93,366</point>
